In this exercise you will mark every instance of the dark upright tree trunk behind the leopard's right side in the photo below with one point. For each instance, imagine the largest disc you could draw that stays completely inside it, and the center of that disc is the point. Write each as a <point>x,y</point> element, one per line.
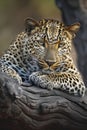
<point>76,11</point>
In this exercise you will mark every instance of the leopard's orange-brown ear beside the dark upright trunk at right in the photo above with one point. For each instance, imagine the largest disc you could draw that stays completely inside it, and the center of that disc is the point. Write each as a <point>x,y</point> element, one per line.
<point>73,28</point>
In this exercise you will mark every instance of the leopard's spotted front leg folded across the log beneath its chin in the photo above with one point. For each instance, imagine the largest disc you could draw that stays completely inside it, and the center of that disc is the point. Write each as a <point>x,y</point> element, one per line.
<point>65,81</point>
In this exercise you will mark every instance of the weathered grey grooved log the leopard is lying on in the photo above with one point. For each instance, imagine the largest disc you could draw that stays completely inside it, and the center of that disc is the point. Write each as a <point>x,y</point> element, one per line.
<point>23,107</point>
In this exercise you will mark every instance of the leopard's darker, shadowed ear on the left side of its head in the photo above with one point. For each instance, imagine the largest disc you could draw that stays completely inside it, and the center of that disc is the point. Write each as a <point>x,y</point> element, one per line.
<point>30,24</point>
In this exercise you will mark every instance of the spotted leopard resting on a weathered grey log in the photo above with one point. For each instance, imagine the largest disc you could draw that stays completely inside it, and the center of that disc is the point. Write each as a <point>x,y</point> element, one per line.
<point>41,55</point>
